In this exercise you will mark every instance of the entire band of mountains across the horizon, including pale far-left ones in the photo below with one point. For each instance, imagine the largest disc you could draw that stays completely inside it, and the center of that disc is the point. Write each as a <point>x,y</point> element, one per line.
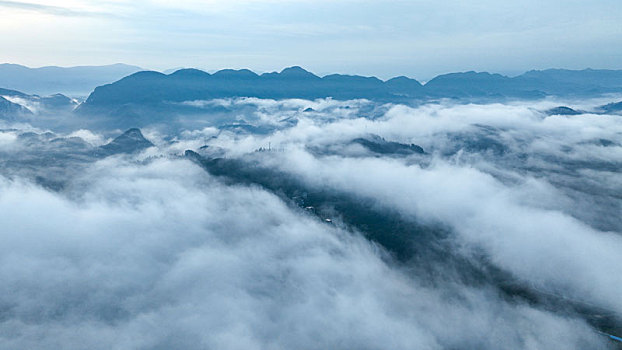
<point>148,97</point>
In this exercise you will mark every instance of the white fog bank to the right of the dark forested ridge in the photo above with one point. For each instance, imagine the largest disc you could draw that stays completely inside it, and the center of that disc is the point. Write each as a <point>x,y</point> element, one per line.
<point>547,209</point>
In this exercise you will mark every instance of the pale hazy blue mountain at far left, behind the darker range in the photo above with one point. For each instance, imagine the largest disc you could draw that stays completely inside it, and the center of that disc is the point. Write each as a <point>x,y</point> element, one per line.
<point>72,81</point>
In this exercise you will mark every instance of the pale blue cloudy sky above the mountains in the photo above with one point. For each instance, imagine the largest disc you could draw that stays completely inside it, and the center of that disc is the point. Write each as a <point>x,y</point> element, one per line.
<point>417,38</point>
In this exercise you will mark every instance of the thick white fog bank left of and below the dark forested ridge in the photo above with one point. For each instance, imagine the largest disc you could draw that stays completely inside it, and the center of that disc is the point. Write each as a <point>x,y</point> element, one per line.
<point>163,256</point>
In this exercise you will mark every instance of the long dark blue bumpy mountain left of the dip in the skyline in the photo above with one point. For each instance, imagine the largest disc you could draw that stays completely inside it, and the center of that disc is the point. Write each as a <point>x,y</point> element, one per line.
<point>190,84</point>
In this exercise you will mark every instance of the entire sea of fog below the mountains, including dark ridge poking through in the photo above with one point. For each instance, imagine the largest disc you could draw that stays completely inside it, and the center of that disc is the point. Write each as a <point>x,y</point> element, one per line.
<point>315,225</point>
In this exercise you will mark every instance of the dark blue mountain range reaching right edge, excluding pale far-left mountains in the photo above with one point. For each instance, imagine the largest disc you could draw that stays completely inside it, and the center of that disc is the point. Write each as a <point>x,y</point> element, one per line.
<point>153,88</point>
